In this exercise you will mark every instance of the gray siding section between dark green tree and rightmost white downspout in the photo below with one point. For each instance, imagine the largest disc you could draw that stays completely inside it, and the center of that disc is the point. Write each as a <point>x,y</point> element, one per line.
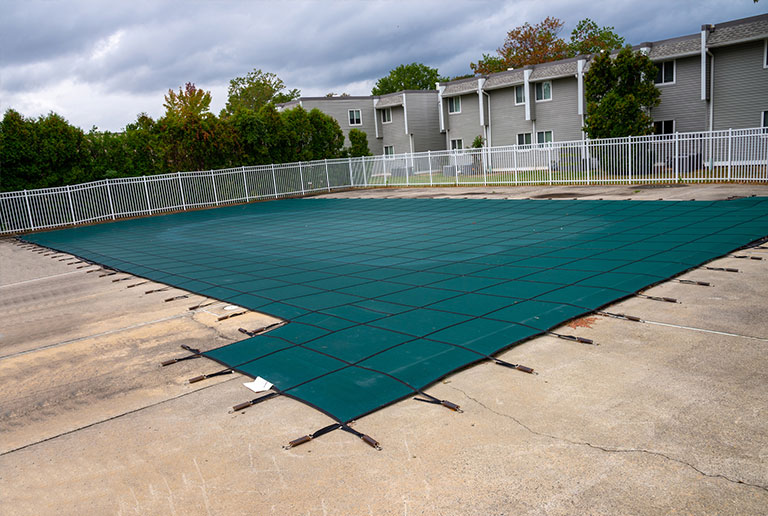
<point>681,101</point>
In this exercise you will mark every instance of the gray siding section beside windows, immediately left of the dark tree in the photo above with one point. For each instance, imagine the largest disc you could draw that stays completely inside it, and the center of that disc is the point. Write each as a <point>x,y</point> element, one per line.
<point>559,114</point>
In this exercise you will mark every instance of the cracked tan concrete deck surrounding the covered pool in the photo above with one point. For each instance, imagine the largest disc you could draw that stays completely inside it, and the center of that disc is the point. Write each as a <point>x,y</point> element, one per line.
<point>654,419</point>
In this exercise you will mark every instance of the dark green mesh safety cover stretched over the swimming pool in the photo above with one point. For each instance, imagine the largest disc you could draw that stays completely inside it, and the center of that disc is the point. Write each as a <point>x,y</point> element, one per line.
<point>386,296</point>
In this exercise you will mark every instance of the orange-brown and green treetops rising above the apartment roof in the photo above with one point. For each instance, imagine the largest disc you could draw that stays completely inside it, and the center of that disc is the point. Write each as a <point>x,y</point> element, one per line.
<point>540,43</point>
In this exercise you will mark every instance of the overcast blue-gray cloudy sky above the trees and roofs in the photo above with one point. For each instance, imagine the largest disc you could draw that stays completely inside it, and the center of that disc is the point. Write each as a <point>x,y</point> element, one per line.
<point>103,62</point>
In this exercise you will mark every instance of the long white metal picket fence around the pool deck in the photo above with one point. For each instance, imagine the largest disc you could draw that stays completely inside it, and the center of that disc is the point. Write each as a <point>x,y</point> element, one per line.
<point>716,156</point>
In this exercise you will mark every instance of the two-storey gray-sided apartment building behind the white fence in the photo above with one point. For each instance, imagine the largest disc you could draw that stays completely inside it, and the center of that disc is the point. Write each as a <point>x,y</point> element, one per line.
<point>711,80</point>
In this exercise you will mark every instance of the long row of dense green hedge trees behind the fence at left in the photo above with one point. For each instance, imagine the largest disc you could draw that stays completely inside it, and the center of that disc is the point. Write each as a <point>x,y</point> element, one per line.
<point>48,151</point>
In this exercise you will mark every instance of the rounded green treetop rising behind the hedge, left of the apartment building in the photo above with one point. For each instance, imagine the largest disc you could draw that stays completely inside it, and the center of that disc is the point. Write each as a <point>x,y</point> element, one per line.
<point>255,90</point>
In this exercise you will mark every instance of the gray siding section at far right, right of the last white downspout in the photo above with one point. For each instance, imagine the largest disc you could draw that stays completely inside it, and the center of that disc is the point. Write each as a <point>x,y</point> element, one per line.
<point>741,85</point>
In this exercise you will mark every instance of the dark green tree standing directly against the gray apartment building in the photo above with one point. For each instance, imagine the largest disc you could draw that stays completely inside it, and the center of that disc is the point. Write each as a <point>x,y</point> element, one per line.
<point>620,93</point>
